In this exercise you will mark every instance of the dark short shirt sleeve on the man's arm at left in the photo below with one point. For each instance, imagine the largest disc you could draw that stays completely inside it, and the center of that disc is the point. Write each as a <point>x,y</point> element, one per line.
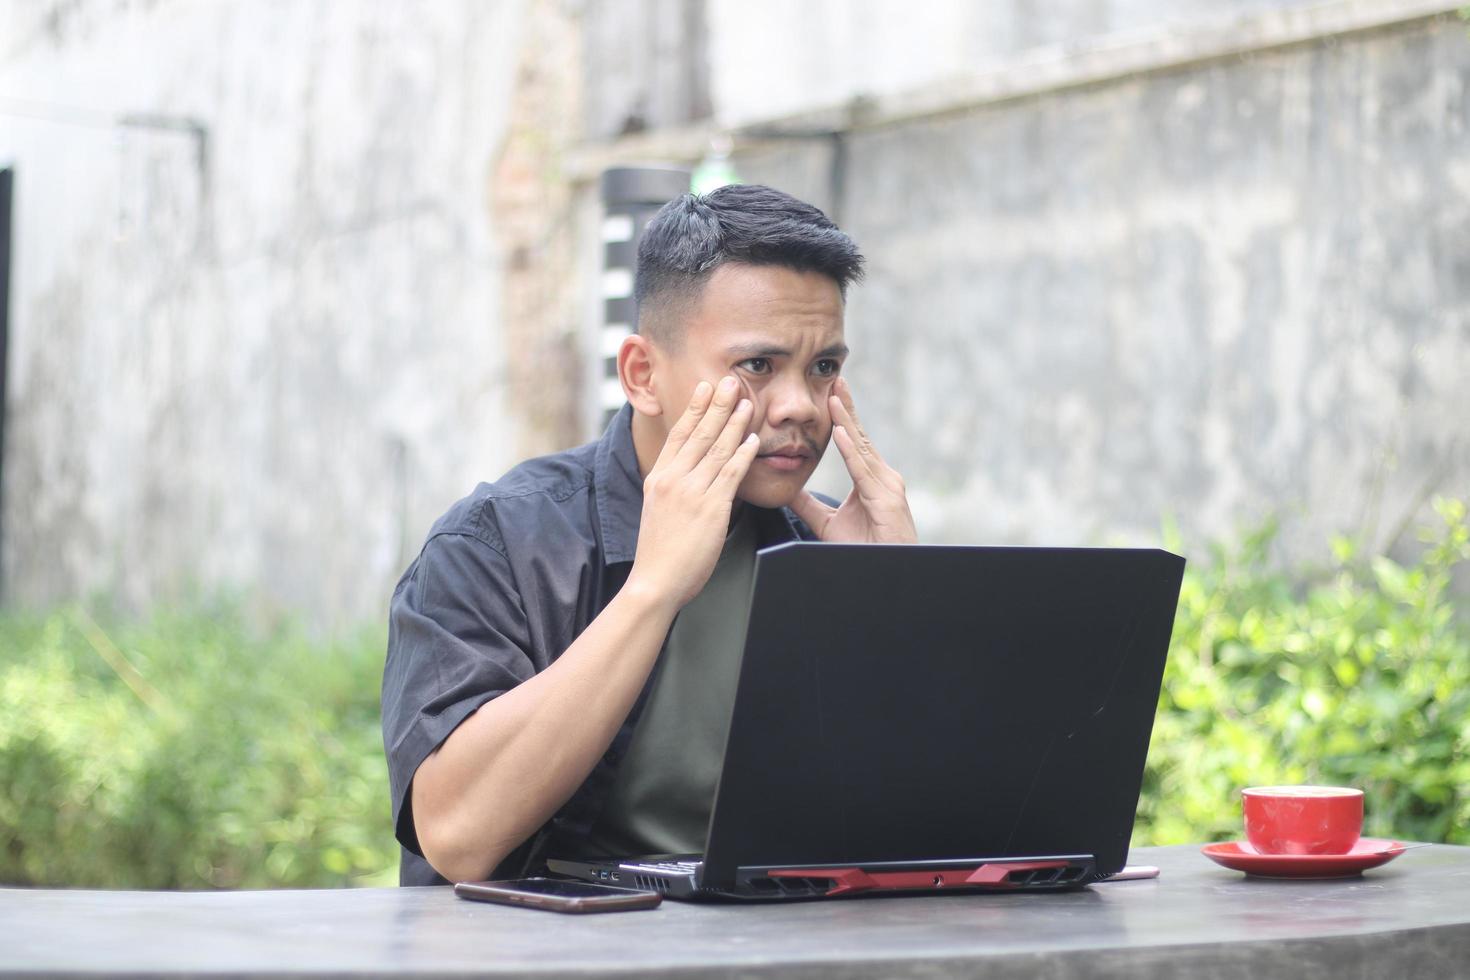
<point>458,638</point>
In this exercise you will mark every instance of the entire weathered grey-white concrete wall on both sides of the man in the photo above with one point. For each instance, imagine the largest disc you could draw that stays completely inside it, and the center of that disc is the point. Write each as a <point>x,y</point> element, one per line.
<point>270,355</point>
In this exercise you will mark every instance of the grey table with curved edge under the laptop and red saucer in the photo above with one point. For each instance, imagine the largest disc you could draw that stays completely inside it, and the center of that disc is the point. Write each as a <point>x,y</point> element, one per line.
<point>1410,918</point>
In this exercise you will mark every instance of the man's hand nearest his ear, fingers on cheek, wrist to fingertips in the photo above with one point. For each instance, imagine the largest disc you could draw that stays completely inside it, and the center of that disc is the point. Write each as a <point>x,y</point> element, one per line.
<point>690,493</point>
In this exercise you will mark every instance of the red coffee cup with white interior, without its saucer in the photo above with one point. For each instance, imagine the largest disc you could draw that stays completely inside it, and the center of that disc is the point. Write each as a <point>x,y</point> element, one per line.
<point>1303,819</point>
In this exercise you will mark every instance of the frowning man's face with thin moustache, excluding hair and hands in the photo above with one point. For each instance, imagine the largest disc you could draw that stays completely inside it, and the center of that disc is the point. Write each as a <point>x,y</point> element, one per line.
<point>780,333</point>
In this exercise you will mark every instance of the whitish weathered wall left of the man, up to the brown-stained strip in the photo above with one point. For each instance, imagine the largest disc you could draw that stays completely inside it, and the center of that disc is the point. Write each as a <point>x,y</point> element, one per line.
<point>268,367</point>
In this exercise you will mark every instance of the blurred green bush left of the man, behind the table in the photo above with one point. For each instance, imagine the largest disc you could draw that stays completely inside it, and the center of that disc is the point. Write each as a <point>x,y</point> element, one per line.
<point>190,752</point>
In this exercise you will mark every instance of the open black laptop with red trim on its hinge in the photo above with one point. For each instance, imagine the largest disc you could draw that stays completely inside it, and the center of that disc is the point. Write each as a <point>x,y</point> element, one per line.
<point>919,719</point>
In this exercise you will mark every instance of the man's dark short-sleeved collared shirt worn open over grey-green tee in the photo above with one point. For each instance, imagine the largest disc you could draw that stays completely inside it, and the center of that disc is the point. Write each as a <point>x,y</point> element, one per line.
<point>505,583</point>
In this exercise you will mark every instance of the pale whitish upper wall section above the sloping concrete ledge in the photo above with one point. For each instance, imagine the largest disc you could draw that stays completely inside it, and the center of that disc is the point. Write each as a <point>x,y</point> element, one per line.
<point>664,64</point>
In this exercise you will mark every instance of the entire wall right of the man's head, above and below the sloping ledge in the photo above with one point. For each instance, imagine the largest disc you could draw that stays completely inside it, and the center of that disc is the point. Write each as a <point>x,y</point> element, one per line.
<point>1221,283</point>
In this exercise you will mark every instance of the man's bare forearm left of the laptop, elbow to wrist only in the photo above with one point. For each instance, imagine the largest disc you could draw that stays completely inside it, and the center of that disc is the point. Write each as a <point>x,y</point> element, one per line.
<point>508,768</point>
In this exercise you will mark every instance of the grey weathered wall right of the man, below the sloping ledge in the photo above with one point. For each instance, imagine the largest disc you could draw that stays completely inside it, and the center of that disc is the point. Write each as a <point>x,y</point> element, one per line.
<point>1213,293</point>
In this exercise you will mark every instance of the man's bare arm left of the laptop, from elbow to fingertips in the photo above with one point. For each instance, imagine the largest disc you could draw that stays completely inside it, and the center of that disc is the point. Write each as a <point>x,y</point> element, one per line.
<point>509,766</point>
